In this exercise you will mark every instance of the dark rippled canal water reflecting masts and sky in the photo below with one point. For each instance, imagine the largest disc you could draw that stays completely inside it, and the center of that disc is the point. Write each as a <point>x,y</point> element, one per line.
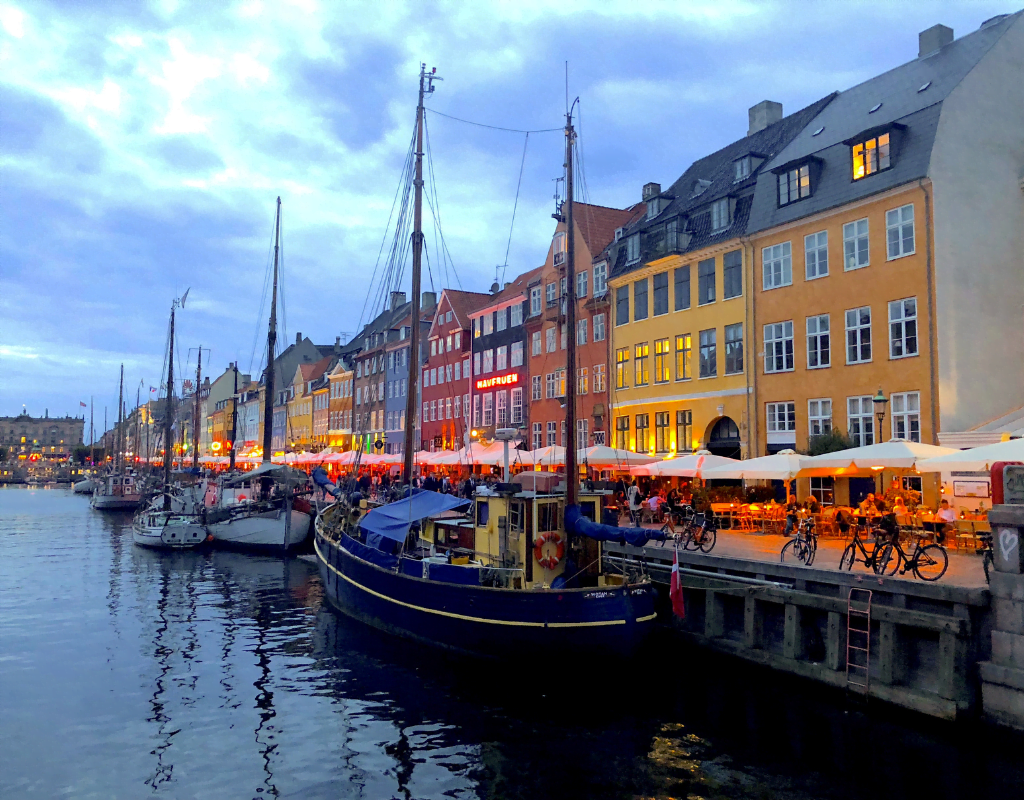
<point>126,673</point>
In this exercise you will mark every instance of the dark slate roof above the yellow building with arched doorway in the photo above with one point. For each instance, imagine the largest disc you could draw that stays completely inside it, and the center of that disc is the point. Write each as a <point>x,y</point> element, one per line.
<point>718,172</point>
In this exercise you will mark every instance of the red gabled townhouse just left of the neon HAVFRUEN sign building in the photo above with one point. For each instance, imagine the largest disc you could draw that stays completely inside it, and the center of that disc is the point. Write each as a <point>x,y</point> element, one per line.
<point>445,388</point>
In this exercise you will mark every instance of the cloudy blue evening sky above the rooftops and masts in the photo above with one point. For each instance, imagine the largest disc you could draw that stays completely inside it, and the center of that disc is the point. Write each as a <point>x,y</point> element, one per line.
<point>143,147</point>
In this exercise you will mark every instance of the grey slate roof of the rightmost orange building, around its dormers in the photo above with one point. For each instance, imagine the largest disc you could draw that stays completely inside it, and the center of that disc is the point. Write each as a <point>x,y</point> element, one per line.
<point>904,102</point>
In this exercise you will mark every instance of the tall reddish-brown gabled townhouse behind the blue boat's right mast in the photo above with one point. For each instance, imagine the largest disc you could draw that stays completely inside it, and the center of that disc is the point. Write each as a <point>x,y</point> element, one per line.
<point>549,339</point>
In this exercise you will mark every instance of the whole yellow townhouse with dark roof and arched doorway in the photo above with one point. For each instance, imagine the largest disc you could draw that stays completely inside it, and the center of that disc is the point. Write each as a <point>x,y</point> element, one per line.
<point>680,369</point>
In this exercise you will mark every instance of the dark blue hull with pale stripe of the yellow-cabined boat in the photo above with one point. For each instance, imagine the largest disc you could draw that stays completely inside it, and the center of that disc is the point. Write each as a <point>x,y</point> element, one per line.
<point>483,621</point>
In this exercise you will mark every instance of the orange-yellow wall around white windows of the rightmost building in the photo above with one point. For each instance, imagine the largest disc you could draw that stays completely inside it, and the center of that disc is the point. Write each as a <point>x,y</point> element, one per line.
<point>875,285</point>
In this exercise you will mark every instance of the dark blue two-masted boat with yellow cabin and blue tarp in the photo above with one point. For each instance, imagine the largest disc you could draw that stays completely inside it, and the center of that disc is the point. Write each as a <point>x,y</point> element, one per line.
<point>522,574</point>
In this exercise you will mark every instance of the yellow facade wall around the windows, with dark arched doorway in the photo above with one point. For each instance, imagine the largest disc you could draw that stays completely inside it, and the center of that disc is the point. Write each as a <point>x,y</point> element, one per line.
<point>708,399</point>
